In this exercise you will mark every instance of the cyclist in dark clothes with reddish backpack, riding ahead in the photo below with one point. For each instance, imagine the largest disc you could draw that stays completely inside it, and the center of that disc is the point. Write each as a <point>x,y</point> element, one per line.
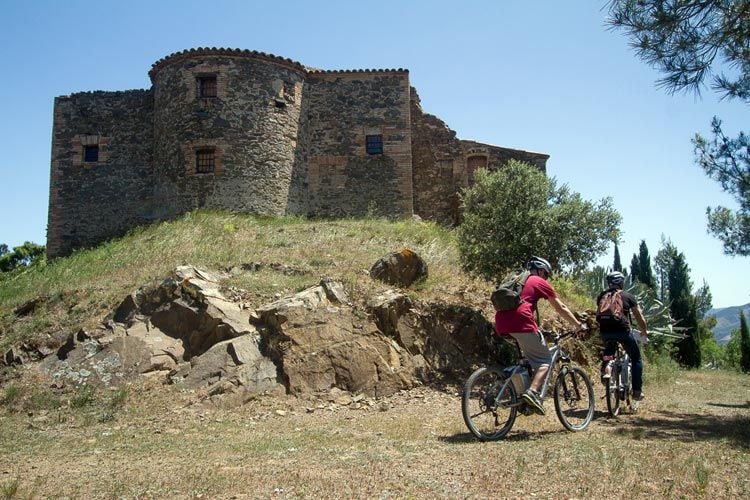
<point>613,332</point>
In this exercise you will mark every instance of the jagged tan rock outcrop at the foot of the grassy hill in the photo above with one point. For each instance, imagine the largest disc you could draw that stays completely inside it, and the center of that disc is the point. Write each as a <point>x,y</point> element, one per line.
<point>188,333</point>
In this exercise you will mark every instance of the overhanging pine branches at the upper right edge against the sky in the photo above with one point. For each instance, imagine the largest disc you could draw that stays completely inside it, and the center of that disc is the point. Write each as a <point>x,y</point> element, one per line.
<point>690,42</point>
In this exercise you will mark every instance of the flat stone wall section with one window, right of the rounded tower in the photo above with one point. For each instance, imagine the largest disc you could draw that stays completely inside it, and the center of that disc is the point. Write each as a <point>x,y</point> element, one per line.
<point>343,109</point>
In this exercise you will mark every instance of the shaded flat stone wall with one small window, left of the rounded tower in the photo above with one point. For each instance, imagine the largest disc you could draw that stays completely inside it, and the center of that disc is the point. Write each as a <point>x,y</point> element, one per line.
<point>96,200</point>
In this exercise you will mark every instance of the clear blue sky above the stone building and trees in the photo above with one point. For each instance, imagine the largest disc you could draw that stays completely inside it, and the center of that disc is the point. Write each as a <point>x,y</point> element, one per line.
<point>543,76</point>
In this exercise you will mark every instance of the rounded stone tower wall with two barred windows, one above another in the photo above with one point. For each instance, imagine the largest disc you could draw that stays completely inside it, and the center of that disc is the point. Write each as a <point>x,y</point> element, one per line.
<point>251,124</point>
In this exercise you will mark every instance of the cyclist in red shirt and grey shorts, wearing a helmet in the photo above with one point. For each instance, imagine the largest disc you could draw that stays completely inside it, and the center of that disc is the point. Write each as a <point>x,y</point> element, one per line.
<point>521,325</point>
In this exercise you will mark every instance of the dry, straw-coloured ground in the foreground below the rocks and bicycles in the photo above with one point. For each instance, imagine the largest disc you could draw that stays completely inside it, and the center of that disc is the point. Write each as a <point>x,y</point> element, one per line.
<point>690,439</point>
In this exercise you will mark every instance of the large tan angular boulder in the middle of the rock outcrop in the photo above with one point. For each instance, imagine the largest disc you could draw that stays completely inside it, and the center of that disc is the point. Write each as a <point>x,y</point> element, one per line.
<point>320,343</point>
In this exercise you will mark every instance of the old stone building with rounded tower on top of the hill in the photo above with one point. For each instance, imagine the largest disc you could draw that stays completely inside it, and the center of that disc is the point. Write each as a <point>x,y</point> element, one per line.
<point>252,132</point>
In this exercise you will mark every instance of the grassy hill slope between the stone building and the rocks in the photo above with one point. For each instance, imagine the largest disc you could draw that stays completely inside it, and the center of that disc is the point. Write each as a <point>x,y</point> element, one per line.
<point>79,291</point>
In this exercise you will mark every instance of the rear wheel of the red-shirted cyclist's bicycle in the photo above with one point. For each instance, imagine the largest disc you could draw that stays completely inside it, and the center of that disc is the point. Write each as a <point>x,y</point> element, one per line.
<point>488,414</point>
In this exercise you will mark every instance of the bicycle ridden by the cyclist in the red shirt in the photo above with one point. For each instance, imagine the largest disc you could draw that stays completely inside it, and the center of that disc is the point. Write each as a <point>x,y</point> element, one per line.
<point>491,400</point>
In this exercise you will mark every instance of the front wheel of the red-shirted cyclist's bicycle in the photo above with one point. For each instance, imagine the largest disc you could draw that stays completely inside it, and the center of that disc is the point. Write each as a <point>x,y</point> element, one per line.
<point>574,398</point>
